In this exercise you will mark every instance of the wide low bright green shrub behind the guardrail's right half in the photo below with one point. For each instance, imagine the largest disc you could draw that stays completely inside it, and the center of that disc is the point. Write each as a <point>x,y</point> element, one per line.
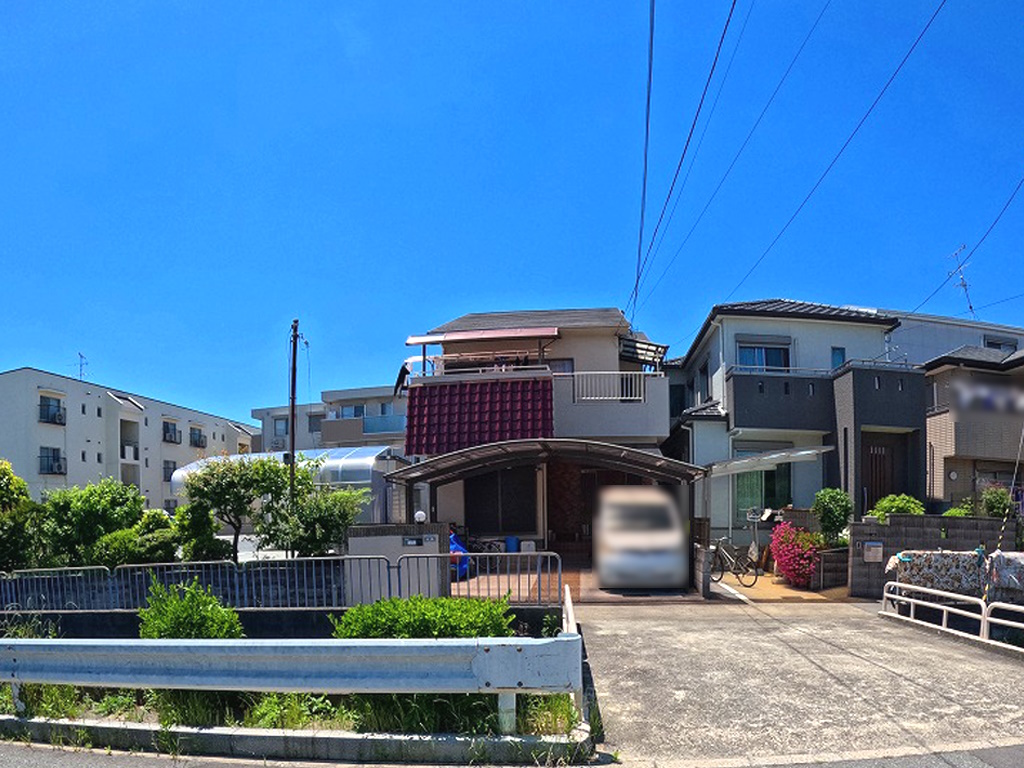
<point>420,617</point>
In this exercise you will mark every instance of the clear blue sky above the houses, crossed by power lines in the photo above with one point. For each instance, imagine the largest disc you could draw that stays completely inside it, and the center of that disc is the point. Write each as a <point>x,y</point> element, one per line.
<point>181,180</point>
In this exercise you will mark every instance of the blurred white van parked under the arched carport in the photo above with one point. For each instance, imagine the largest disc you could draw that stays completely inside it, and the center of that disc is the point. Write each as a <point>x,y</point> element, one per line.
<point>639,539</point>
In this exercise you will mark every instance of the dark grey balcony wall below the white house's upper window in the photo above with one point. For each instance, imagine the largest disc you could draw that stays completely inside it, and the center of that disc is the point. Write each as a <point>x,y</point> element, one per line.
<point>799,400</point>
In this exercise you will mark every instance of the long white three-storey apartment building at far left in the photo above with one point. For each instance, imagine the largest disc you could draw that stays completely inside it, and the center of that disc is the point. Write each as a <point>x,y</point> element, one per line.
<point>58,432</point>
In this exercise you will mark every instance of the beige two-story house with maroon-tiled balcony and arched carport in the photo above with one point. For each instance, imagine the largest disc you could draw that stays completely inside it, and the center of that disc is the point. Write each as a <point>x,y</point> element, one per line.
<point>520,418</point>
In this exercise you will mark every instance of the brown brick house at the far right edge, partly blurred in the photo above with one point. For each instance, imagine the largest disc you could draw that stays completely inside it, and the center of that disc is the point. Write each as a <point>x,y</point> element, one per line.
<point>975,423</point>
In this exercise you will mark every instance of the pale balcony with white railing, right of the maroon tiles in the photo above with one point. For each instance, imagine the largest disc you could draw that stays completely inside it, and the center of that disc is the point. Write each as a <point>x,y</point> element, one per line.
<point>615,405</point>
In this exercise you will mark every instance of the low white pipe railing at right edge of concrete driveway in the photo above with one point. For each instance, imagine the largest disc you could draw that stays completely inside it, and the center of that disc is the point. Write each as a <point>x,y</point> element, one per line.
<point>899,594</point>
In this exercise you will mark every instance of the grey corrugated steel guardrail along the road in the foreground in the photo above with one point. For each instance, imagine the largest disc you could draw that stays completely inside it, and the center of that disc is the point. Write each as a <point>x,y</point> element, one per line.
<point>501,666</point>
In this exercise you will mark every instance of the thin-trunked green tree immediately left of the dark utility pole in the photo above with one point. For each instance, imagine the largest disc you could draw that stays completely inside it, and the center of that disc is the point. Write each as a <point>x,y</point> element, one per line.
<point>232,490</point>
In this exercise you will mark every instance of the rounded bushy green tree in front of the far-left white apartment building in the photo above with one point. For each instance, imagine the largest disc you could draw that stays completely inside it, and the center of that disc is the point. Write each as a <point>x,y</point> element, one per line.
<point>74,520</point>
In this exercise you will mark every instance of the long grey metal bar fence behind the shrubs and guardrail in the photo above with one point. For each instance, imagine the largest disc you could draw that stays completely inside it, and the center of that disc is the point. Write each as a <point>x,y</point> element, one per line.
<point>528,578</point>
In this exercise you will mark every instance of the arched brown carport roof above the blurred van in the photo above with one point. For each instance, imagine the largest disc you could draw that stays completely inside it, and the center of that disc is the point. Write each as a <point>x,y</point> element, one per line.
<point>467,462</point>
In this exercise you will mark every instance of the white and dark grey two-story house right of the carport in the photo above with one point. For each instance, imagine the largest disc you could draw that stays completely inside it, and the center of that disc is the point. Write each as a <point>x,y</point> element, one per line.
<point>780,399</point>
